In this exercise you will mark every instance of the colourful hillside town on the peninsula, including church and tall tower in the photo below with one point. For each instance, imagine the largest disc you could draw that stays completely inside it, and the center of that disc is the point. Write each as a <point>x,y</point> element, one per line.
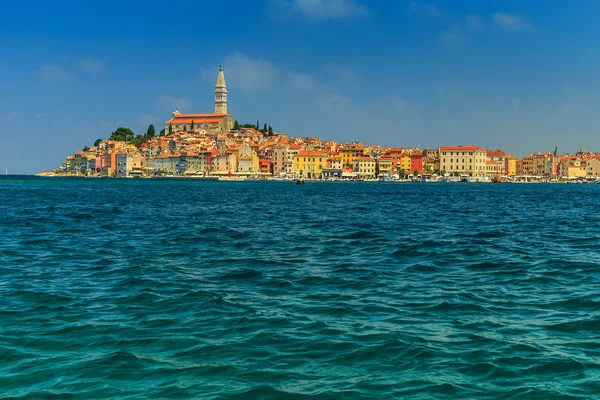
<point>215,146</point>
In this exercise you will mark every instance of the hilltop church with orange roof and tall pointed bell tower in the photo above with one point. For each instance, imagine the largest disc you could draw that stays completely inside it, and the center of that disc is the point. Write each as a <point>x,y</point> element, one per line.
<point>220,121</point>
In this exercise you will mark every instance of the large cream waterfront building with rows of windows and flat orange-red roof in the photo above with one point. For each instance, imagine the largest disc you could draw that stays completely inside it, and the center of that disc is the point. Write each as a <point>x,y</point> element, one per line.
<point>463,160</point>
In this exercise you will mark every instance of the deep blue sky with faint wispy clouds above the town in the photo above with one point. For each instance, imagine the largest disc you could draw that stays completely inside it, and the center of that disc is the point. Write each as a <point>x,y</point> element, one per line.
<point>522,76</point>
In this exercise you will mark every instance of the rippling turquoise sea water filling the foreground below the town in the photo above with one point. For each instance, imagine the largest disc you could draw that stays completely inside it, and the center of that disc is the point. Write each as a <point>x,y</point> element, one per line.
<point>128,289</point>
